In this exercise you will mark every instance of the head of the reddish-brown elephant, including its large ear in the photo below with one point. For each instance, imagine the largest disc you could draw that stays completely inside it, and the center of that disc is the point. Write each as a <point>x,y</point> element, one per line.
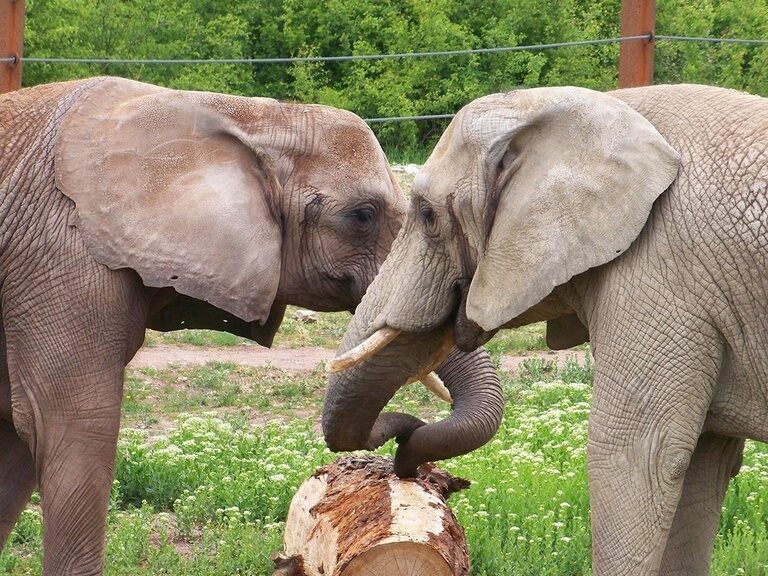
<point>233,206</point>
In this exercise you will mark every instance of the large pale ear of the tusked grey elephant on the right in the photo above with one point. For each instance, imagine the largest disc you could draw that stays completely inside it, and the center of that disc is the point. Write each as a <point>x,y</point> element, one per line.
<point>571,177</point>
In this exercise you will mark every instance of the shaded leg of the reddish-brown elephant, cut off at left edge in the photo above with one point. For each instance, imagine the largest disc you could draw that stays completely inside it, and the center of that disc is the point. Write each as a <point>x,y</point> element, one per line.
<point>17,471</point>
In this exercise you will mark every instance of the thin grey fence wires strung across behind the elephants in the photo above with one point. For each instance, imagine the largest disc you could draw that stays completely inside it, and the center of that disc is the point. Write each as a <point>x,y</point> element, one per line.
<point>362,57</point>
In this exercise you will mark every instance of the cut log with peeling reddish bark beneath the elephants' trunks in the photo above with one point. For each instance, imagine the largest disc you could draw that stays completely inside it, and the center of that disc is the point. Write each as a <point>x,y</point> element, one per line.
<point>354,517</point>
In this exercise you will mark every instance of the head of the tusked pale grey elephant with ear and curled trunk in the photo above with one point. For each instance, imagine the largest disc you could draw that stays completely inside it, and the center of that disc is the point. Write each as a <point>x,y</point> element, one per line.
<point>524,191</point>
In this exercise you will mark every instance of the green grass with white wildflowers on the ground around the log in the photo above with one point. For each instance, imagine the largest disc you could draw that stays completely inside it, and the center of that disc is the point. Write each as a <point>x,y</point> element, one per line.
<point>205,489</point>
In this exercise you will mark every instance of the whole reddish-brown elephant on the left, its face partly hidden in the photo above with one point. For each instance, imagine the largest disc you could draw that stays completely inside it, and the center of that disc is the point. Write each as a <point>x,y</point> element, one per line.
<point>256,204</point>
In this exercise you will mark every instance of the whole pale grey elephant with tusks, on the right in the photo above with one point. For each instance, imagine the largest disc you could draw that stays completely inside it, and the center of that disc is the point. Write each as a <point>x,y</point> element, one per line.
<point>635,219</point>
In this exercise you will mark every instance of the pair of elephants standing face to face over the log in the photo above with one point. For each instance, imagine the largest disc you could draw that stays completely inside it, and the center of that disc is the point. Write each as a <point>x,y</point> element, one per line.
<point>635,219</point>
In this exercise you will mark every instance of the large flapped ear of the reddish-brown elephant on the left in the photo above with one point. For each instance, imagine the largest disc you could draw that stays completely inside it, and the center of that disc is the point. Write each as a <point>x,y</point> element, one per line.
<point>168,183</point>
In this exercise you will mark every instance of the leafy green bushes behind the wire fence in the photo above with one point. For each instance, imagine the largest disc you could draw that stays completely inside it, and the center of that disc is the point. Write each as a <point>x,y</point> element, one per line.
<point>202,29</point>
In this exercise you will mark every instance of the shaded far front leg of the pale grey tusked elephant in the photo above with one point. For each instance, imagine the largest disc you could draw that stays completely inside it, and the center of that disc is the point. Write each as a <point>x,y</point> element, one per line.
<point>715,461</point>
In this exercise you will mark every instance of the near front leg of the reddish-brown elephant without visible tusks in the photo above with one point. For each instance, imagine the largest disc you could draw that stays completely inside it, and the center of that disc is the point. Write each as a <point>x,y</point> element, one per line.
<point>66,357</point>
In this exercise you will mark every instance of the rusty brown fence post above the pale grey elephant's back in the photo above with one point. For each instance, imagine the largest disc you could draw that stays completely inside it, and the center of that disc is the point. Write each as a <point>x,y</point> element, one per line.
<point>636,56</point>
